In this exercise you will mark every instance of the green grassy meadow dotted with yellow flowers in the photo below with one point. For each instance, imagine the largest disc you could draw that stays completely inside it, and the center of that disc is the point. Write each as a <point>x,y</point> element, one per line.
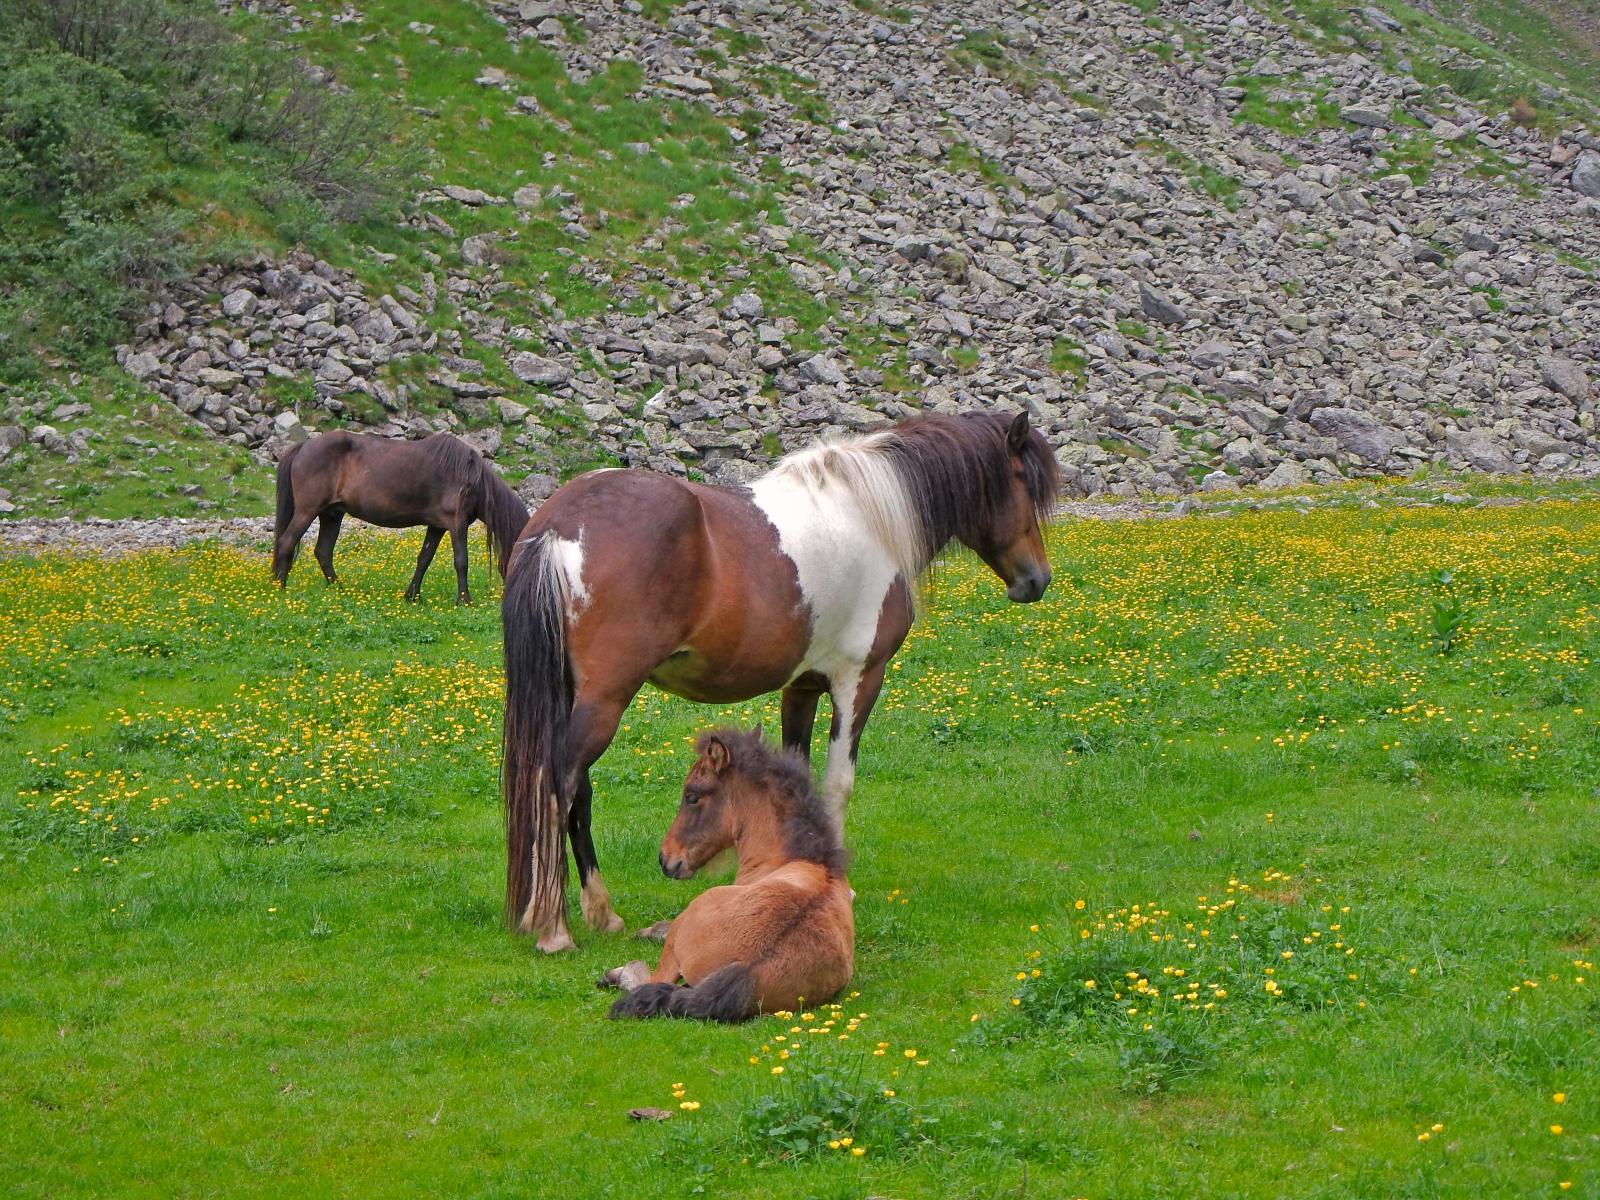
<point>1260,858</point>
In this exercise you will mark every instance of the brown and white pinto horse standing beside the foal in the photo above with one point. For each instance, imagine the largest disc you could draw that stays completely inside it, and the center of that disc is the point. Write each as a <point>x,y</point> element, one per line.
<point>804,583</point>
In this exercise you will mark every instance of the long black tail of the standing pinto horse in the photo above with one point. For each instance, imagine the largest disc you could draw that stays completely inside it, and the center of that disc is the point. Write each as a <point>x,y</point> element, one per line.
<point>538,706</point>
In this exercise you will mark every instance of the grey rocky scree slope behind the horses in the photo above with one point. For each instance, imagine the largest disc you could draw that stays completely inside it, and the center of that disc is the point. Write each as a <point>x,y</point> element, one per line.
<point>1201,250</point>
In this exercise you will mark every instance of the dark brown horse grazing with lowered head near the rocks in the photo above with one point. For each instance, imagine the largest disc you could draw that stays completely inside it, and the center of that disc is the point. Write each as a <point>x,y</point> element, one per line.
<point>439,482</point>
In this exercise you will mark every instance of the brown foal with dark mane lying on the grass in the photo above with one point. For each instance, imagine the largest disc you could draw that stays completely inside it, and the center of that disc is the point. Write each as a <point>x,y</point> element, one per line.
<point>777,938</point>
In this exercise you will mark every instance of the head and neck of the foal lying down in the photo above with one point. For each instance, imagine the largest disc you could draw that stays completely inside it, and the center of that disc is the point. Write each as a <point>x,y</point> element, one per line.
<point>748,794</point>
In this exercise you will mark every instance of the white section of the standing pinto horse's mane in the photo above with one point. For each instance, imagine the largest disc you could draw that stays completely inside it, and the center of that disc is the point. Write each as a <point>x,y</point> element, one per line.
<point>858,468</point>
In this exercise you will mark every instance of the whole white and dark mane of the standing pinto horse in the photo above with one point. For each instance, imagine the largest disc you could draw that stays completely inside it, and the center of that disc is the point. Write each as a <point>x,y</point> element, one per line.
<point>930,479</point>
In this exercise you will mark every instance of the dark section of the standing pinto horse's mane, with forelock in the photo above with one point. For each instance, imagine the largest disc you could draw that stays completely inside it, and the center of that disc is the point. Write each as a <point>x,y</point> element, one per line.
<point>958,473</point>
